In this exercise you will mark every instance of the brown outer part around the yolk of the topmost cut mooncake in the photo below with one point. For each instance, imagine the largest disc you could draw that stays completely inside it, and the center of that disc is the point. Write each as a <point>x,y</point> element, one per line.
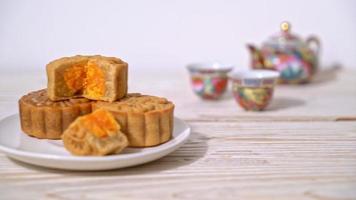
<point>115,77</point>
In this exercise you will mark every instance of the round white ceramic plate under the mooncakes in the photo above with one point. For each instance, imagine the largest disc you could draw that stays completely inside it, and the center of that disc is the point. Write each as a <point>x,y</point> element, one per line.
<point>51,153</point>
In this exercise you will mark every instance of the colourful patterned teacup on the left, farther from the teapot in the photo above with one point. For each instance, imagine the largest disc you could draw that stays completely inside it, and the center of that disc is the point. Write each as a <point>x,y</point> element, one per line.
<point>209,80</point>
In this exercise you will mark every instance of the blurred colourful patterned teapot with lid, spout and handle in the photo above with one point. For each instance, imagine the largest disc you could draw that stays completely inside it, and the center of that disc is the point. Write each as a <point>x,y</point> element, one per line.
<point>295,59</point>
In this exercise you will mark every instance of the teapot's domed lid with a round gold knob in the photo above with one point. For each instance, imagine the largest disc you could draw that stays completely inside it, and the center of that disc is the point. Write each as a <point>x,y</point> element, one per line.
<point>285,40</point>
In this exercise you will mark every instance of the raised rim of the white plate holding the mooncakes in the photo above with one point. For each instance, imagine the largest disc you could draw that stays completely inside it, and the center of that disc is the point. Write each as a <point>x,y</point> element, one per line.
<point>183,136</point>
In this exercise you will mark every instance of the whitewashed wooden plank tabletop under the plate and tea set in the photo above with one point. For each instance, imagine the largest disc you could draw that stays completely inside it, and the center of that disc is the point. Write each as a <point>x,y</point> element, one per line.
<point>302,147</point>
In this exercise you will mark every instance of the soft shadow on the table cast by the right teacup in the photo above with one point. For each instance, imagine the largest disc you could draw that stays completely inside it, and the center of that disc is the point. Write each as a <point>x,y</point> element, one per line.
<point>281,103</point>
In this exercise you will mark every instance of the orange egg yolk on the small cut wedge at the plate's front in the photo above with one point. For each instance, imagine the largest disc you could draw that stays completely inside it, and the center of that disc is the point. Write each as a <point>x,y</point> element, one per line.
<point>100,123</point>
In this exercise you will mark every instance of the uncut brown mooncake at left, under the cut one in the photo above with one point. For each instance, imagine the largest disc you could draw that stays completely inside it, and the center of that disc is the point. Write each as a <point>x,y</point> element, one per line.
<point>42,118</point>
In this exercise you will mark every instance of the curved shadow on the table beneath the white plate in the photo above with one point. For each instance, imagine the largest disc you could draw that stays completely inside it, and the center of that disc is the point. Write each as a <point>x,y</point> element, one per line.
<point>194,149</point>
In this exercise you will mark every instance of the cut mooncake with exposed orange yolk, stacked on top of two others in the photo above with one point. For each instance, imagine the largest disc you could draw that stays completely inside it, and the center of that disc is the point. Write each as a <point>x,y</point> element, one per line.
<point>93,77</point>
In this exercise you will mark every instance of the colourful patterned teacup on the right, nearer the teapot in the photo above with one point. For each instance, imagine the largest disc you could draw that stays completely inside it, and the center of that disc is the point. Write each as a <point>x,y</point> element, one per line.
<point>253,89</point>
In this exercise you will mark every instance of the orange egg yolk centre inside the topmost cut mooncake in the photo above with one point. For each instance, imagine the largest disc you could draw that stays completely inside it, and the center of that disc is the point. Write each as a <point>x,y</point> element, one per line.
<point>88,79</point>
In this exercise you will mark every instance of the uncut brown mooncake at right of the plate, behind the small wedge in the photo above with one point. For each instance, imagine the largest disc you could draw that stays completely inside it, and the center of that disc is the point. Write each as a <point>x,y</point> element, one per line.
<point>146,120</point>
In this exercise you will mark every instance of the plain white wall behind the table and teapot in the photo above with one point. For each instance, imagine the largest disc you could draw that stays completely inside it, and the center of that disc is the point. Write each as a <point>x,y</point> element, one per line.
<point>166,34</point>
